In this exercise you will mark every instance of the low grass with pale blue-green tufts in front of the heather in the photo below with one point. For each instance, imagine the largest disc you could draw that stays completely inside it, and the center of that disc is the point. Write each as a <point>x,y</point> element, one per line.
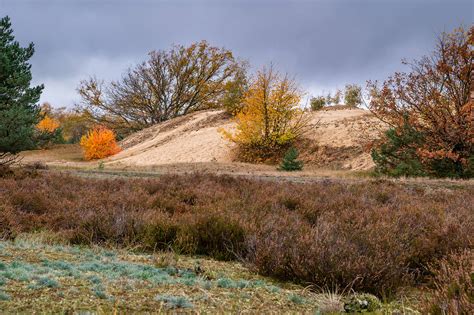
<point>40,278</point>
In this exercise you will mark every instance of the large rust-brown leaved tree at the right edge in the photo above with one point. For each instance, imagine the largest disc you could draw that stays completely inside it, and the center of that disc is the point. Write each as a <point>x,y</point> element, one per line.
<point>433,103</point>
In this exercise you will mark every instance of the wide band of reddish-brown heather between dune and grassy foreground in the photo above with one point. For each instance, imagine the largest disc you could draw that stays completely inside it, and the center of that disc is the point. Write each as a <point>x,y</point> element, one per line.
<point>375,236</point>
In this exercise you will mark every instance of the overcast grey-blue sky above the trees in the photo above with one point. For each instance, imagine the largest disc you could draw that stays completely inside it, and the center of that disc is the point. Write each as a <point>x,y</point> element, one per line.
<point>324,44</point>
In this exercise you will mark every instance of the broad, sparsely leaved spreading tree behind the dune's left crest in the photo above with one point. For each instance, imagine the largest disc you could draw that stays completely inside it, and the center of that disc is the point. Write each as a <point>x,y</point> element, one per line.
<point>169,84</point>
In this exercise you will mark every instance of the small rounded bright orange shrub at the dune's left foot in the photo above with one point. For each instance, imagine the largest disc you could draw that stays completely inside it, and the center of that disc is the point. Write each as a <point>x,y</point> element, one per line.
<point>99,143</point>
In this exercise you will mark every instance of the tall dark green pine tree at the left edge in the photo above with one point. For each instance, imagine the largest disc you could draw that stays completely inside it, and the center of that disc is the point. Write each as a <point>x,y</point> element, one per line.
<point>19,112</point>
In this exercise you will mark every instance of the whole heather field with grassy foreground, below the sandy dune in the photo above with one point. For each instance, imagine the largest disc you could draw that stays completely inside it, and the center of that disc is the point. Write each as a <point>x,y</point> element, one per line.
<point>317,242</point>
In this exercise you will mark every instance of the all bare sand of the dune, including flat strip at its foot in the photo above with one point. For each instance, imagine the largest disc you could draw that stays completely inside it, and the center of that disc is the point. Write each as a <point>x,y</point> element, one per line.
<point>334,142</point>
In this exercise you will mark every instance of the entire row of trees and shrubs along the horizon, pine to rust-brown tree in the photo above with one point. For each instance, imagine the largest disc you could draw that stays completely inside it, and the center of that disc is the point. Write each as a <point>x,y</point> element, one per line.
<point>428,110</point>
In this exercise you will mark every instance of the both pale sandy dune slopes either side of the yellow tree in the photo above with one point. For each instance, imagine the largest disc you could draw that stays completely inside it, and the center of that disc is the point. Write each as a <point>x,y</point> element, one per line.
<point>335,139</point>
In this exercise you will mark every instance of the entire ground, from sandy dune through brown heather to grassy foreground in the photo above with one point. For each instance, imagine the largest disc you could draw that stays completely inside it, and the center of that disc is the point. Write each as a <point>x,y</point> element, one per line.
<point>173,223</point>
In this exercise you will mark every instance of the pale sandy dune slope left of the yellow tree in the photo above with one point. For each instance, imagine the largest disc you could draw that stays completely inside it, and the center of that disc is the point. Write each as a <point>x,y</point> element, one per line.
<point>190,139</point>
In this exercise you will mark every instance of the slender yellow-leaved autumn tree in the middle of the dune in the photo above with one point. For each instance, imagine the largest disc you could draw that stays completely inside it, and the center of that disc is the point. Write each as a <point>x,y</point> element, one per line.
<point>271,118</point>
